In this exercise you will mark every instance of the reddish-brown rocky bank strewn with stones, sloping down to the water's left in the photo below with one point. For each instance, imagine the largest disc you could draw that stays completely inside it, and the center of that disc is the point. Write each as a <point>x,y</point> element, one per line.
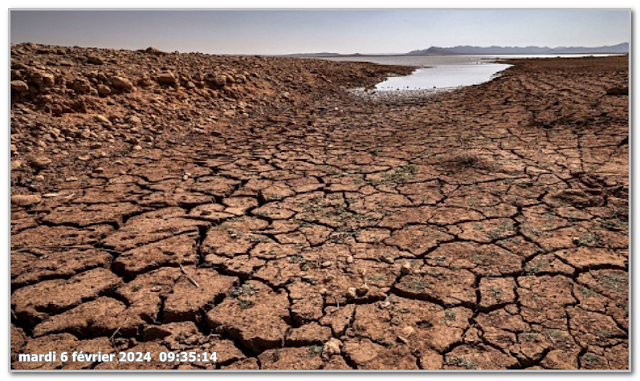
<point>70,105</point>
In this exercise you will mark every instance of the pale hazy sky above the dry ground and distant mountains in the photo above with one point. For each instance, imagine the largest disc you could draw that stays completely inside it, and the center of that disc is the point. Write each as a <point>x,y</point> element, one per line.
<point>280,32</point>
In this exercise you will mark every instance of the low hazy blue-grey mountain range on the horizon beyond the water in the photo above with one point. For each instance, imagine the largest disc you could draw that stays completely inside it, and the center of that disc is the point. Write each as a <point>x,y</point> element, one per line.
<point>622,48</point>
